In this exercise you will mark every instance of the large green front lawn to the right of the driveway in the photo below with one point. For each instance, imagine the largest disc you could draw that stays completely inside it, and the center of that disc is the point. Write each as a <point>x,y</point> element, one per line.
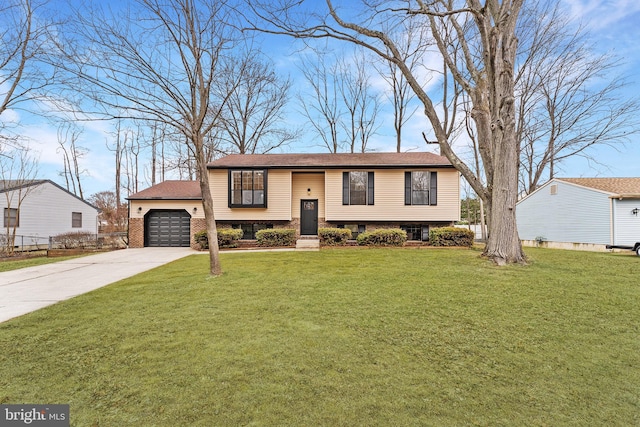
<point>356,337</point>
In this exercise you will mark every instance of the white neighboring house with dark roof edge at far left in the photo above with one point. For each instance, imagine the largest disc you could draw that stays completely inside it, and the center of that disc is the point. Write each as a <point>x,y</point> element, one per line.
<point>41,208</point>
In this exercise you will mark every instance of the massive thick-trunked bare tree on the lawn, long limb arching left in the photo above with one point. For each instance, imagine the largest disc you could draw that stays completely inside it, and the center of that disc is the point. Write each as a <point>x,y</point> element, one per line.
<point>478,45</point>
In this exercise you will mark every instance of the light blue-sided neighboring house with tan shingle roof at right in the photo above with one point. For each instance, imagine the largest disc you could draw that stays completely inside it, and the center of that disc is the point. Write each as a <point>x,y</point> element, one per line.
<point>581,213</point>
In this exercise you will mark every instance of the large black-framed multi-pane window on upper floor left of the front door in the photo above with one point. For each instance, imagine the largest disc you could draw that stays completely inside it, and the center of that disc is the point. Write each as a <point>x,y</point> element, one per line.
<point>247,188</point>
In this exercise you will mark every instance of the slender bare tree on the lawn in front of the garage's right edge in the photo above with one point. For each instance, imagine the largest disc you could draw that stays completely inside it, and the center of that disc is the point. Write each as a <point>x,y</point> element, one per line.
<point>160,61</point>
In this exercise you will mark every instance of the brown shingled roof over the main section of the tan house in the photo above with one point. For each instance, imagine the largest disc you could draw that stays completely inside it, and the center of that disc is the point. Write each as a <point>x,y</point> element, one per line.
<point>331,161</point>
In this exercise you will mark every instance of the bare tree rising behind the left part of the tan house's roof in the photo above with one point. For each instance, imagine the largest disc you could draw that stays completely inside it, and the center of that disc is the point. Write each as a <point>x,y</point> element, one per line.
<point>253,118</point>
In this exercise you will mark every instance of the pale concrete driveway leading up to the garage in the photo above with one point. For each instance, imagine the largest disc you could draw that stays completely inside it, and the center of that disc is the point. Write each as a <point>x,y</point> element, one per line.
<point>29,289</point>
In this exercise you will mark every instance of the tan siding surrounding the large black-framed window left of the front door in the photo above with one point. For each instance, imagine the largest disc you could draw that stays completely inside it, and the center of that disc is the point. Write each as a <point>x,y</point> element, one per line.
<point>278,198</point>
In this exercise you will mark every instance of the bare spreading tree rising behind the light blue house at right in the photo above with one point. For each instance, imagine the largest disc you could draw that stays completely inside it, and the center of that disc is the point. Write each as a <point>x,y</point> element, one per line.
<point>568,97</point>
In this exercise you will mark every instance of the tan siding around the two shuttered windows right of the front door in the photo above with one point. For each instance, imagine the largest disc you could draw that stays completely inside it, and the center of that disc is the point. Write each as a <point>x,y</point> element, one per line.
<point>389,198</point>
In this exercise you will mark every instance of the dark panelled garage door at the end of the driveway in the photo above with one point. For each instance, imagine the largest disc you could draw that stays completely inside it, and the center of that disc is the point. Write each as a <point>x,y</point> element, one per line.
<point>168,228</point>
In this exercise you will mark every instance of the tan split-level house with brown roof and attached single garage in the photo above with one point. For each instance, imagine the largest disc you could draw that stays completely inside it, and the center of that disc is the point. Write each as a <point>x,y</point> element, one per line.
<point>413,191</point>
